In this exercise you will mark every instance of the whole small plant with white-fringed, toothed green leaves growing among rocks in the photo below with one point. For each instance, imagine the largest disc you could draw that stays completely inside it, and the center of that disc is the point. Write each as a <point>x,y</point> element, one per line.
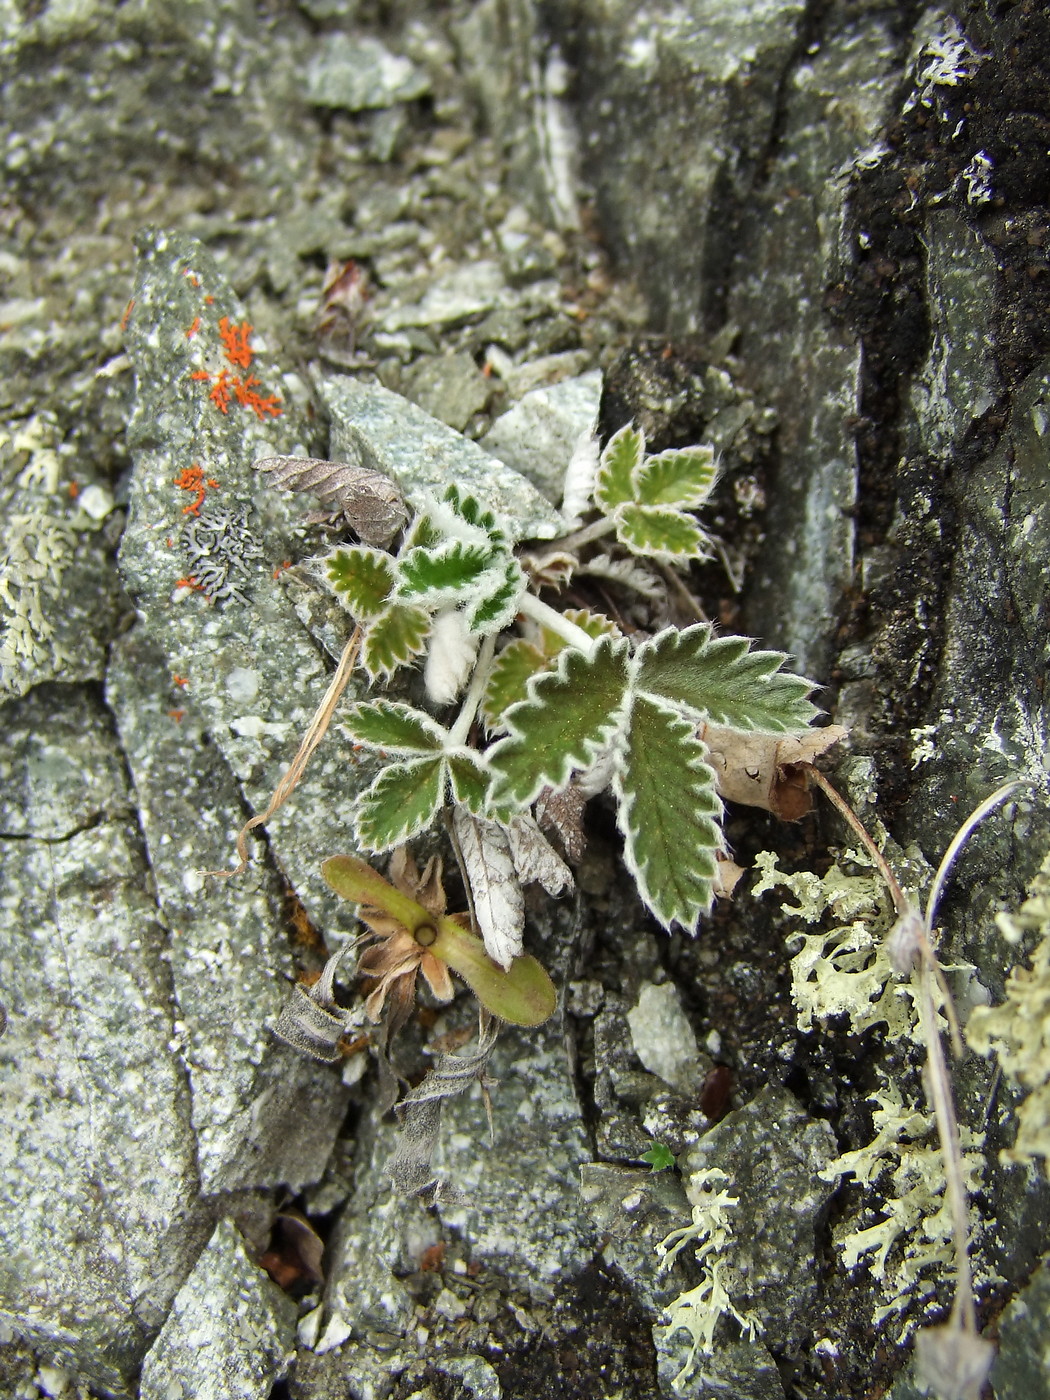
<point>556,701</point>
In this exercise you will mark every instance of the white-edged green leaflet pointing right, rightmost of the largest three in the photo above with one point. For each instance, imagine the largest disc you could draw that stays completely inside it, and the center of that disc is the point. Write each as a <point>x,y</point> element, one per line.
<point>723,681</point>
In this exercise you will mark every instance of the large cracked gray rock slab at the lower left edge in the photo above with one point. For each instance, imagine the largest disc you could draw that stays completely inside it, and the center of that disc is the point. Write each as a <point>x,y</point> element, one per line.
<point>99,1177</point>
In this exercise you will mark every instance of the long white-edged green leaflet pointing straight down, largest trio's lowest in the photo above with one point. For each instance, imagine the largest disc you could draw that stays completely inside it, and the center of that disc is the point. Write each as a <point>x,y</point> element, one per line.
<point>668,814</point>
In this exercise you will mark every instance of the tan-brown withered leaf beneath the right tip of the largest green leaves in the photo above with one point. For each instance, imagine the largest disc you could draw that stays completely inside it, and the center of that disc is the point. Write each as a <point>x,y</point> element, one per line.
<point>768,771</point>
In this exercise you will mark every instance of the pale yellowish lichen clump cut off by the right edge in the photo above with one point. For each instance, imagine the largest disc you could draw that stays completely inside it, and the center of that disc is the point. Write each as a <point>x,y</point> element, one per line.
<point>1018,1030</point>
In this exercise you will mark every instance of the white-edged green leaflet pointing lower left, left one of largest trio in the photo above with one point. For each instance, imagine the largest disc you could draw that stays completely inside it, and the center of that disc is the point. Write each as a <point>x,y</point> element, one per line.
<point>569,717</point>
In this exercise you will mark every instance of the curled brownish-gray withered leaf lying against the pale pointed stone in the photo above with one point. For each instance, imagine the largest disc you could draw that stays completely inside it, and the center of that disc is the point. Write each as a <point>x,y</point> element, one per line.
<point>355,492</point>
